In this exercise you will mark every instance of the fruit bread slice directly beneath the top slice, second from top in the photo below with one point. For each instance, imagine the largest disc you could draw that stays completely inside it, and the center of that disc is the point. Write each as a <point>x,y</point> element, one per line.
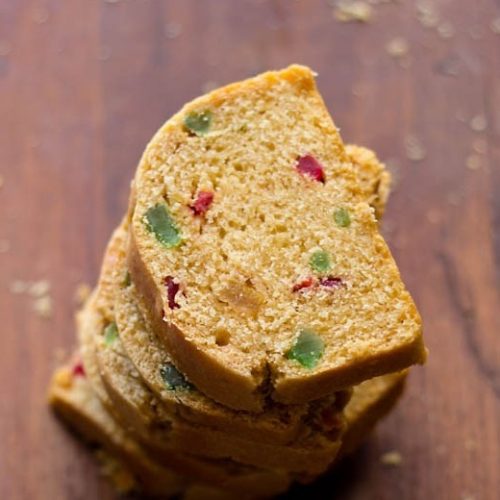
<point>280,424</point>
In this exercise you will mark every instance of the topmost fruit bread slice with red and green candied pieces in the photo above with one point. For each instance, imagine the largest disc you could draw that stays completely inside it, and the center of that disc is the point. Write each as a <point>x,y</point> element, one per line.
<point>257,255</point>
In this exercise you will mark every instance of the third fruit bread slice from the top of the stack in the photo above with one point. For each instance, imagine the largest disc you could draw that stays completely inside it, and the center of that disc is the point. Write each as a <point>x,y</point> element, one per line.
<point>137,412</point>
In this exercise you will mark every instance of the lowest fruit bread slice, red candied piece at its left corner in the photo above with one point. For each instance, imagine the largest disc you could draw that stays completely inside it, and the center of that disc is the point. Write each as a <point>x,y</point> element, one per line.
<point>72,397</point>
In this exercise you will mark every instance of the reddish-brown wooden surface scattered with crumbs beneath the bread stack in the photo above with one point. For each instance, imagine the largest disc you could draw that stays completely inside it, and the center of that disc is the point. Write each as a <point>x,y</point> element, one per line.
<point>83,86</point>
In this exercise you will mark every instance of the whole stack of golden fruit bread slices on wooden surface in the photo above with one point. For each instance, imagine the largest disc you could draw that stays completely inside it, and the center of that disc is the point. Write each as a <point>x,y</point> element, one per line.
<point>249,326</point>
